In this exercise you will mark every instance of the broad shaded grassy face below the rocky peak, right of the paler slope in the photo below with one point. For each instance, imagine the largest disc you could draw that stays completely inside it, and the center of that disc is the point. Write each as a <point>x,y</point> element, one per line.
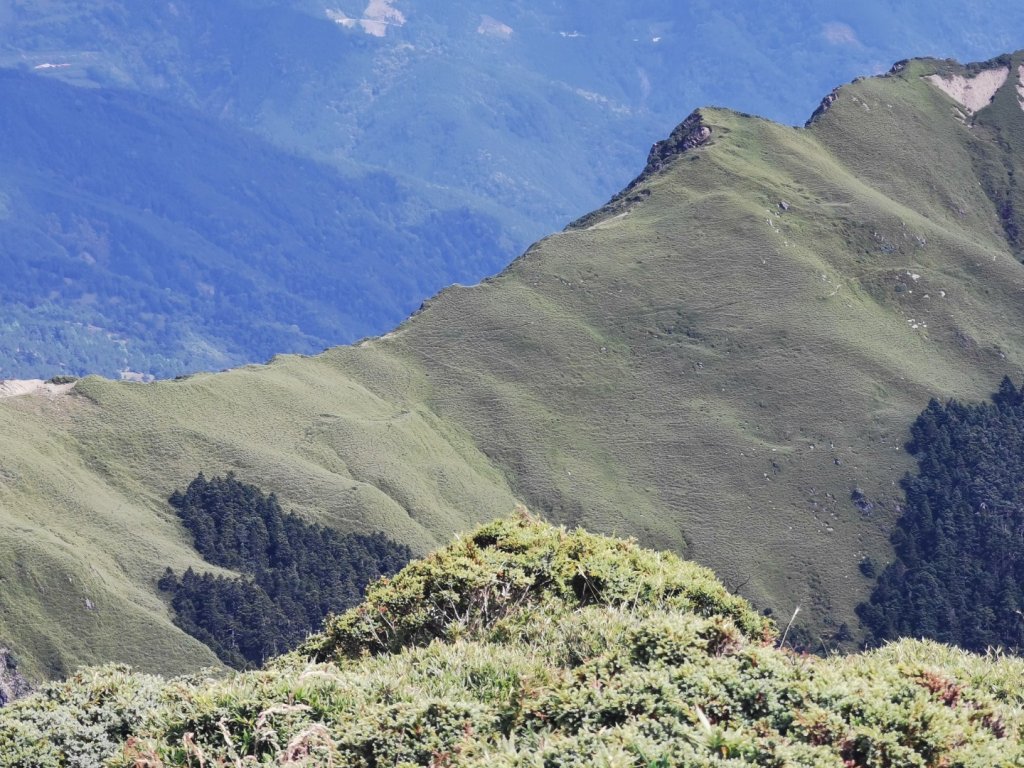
<point>706,353</point>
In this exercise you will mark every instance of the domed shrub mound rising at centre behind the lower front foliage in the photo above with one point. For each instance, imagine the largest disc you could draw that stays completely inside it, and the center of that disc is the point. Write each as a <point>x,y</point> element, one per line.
<point>465,589</point>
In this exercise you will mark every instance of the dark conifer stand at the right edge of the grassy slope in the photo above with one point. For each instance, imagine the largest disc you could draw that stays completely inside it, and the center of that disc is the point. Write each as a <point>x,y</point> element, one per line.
<point>959,575</point>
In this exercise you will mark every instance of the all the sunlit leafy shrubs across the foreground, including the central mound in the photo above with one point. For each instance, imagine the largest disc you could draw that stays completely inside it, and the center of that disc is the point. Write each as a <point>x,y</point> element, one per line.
<point>527,646</point>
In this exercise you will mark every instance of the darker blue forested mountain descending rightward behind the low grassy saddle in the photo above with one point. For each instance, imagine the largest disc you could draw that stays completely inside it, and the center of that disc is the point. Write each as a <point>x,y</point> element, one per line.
<point>138,235</point>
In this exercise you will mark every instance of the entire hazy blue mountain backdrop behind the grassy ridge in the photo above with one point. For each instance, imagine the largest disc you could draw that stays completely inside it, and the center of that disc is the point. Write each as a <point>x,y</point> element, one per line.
<point>192,185</point>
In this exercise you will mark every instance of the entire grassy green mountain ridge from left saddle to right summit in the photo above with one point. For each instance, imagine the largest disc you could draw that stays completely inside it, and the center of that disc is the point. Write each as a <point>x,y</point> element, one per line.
<point>717,363</point>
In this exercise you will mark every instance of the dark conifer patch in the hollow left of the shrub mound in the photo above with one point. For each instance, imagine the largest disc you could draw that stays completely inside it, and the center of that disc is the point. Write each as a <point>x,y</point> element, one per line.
<point>294,573</point>
